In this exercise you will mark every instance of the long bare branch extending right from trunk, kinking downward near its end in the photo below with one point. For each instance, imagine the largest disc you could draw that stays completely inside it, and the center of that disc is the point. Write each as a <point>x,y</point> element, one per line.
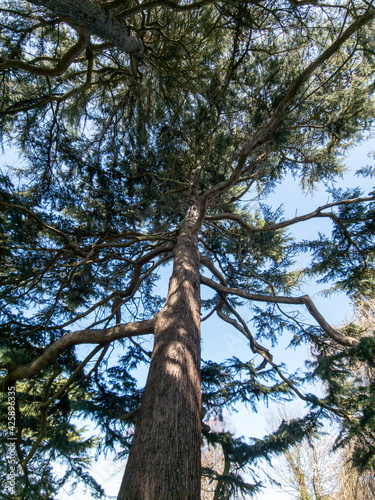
<point>303,300</point>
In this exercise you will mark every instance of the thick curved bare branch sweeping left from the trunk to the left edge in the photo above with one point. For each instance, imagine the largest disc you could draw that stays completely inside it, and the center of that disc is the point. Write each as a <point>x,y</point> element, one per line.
<point>89,336</point>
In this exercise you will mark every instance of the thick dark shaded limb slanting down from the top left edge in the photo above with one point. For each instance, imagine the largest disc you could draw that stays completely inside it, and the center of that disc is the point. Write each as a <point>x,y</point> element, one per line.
<point>90,16</point>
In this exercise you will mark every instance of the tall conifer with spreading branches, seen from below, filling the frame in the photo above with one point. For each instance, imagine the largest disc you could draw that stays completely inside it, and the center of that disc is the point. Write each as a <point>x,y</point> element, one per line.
<point>149,137</point>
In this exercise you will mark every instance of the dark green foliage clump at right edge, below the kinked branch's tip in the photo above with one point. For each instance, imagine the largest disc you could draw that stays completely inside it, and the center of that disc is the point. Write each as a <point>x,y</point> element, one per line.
<point>348,376</point>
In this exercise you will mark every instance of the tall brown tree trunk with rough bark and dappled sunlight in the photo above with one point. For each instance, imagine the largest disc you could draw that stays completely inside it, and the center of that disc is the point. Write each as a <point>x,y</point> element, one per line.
<point>164,460</point>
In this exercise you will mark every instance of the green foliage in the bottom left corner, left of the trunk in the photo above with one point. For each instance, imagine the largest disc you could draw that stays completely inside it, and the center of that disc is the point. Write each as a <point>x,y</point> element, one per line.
<point>42,441</point>
